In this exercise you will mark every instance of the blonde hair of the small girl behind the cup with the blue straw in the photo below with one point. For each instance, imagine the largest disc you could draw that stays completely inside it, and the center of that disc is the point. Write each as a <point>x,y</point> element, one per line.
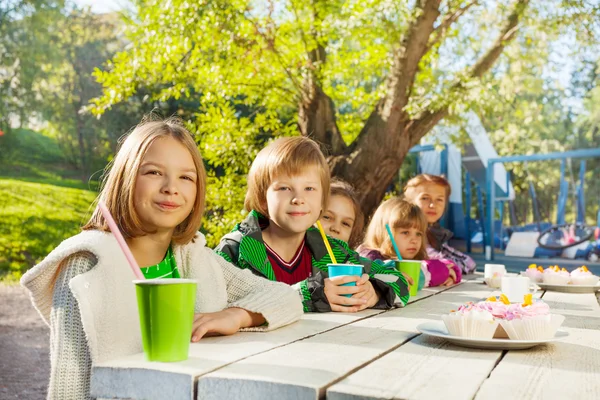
<point>399,214</point>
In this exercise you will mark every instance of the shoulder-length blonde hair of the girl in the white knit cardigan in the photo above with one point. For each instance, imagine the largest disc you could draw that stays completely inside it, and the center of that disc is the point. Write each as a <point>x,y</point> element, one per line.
<point>118,186</point>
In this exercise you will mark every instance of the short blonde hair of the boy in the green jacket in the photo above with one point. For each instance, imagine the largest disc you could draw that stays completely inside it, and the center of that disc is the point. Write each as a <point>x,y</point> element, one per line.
<point>285,156</point>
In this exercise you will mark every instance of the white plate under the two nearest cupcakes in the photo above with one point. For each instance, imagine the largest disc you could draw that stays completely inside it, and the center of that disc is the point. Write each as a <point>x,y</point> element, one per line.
<point>438,329</point>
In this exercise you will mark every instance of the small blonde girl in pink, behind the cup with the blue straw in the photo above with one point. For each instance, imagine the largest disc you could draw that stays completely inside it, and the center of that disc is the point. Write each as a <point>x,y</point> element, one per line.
<point>409,227</point>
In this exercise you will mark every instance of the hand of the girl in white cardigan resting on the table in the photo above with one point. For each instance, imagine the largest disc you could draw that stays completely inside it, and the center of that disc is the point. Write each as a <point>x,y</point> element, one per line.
<point>225,322</point>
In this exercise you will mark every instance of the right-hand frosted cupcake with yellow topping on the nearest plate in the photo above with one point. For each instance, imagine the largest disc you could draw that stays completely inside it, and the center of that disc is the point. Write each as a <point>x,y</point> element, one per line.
<point>531,320</point>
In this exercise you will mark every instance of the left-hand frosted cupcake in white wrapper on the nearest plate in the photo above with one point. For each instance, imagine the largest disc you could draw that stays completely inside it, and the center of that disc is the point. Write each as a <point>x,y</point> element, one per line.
<point>470,321</point>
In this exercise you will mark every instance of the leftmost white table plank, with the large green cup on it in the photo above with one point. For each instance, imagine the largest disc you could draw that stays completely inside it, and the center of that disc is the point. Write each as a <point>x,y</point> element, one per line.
<point>133,377</point>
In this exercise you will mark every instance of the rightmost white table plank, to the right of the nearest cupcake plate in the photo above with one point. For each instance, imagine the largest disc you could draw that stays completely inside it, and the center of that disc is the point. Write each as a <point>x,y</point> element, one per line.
<point>566,369</point>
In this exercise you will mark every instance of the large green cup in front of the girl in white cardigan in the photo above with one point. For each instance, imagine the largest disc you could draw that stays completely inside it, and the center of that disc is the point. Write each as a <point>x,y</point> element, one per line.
<point>166,309</point>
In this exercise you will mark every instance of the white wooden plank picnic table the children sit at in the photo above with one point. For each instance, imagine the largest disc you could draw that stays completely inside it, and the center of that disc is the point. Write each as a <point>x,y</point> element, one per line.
<point>373,354</point>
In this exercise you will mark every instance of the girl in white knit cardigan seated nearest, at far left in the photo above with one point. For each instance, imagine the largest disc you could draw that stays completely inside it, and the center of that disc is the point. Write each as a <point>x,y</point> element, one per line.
<point>83,289</point>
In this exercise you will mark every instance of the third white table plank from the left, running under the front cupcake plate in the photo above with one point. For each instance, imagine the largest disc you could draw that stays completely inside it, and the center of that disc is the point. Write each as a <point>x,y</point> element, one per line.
<point>425,367</point>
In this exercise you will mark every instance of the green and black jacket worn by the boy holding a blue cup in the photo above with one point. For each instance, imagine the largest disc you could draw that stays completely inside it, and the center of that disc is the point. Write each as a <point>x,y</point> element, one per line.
<point>245,247</point>
